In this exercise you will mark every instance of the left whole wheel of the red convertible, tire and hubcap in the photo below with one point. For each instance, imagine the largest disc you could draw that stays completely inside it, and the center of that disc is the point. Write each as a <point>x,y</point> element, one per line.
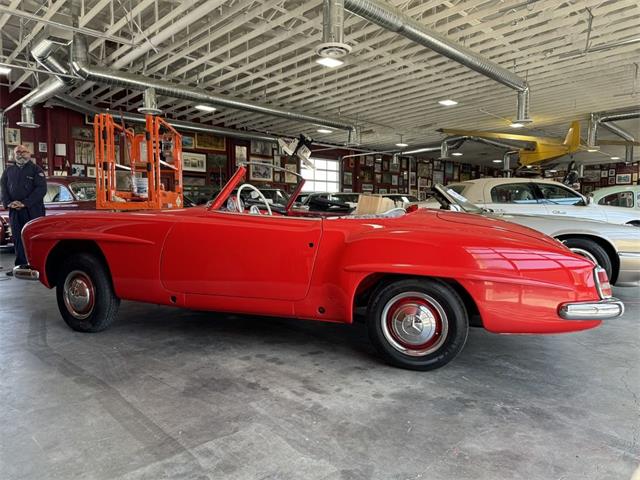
<point>85,295</point>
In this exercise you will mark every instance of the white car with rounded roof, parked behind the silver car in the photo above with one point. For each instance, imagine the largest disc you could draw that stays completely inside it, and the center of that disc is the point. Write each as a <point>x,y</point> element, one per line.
<point>533,196</point>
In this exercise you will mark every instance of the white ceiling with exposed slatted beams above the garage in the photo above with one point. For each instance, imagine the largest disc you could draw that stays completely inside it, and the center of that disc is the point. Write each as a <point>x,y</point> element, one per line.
<point>264,51</point>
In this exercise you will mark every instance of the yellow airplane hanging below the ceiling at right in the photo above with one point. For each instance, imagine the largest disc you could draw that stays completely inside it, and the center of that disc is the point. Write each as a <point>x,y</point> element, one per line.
<point>545,148</point>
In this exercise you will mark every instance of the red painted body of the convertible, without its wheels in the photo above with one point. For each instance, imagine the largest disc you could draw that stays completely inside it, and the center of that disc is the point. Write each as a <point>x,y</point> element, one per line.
<point>514,278</point>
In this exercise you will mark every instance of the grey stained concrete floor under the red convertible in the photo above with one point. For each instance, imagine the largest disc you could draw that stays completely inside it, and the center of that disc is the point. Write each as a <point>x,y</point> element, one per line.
<point>168,393</point>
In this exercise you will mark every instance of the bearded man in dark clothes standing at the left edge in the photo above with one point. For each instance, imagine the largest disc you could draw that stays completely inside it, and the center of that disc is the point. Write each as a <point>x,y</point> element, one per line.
<point>23,189</point>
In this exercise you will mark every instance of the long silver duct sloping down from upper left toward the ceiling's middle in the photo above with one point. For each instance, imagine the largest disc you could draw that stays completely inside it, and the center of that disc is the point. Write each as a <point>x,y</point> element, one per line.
<point>81,67</point>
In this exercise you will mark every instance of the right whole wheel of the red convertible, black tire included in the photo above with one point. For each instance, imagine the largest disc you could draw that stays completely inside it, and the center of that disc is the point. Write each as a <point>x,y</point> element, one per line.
<point>418,324</point>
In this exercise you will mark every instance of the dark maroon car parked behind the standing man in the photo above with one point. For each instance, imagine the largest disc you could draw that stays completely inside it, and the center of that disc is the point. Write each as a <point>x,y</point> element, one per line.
<point>63,194</point>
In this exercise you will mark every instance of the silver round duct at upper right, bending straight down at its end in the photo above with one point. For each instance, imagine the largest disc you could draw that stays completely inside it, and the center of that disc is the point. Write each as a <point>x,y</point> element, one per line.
<point>393,20</point>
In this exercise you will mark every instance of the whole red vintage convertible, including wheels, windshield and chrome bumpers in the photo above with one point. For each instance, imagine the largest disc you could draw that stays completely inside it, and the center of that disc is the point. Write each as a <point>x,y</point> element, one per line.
<point>423,277</point>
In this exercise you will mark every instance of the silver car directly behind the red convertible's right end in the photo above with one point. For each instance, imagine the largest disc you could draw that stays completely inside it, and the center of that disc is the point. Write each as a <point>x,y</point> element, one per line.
<point>616,248</point>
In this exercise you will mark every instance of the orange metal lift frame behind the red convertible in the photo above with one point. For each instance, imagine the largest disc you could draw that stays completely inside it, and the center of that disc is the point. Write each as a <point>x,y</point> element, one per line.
<point>139,185</point>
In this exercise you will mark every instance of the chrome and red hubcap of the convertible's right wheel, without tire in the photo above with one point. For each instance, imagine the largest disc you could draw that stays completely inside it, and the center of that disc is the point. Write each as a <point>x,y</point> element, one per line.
<point>414,323</point>
